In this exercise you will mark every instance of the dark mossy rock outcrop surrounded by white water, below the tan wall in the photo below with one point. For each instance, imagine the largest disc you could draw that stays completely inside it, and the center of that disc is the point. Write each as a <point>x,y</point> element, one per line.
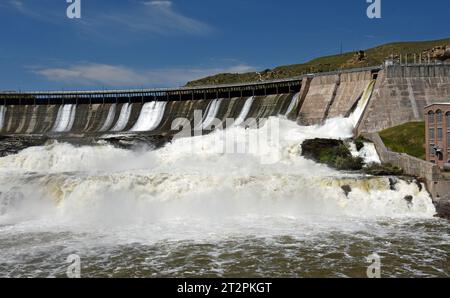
<point>333,153</point>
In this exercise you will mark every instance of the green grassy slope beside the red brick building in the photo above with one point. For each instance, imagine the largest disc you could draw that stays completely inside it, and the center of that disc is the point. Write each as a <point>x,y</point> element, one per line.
<point>407,138</point>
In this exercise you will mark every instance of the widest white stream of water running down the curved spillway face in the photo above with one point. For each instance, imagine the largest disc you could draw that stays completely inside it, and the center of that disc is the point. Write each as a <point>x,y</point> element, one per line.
<point>150,116</point>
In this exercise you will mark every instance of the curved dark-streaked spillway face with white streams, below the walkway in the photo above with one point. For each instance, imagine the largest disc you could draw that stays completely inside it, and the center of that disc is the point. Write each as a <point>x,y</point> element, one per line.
<point>156,118</point>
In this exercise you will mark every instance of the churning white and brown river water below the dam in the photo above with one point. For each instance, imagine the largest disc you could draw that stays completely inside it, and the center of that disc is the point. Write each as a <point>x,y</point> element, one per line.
<point>193,209</point>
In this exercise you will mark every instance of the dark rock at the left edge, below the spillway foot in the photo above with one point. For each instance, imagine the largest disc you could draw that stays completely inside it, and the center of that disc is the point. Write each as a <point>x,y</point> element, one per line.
<point>10,145</point>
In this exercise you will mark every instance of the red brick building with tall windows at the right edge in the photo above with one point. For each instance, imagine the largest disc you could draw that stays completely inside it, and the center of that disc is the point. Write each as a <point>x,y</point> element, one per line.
<point>437,123</point>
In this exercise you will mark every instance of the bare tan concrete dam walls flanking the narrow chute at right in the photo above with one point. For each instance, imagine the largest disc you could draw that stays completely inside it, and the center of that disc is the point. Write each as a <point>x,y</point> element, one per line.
<point>401,92</point>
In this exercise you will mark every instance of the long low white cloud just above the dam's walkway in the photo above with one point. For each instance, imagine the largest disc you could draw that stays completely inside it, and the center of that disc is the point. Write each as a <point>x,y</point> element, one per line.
<point>117,76</point>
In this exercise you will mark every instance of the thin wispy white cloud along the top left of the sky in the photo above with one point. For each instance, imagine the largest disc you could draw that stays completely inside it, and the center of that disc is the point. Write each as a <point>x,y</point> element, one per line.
<point>148,17</point>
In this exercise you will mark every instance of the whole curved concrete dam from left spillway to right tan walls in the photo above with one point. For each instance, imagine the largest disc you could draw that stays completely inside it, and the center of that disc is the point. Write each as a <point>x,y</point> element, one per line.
<point>399,95</point>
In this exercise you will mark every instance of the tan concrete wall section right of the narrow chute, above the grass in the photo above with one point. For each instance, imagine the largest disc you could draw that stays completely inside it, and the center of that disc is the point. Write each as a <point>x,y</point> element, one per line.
<point>401,94</point>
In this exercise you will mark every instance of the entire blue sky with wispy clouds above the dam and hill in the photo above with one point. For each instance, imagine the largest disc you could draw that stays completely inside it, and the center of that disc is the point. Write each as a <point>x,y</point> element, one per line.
<point>139,43</point>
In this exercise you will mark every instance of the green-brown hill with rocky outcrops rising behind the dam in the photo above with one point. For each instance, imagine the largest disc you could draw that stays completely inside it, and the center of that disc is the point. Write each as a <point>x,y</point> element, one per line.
<point>435,50</point>
